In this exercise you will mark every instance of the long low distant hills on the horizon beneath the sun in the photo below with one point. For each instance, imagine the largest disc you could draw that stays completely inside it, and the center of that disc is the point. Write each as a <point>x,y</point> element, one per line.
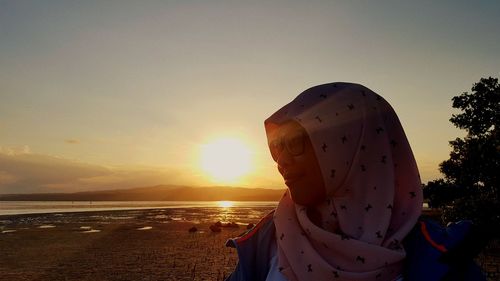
<point>157,193</point>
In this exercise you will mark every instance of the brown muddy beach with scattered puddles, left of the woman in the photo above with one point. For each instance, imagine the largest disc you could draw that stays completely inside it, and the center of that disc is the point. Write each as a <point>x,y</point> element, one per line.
<point>151,244</point>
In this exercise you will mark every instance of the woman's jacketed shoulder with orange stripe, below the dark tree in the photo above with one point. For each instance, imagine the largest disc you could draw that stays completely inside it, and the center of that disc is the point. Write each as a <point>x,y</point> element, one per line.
<point>427,247</point>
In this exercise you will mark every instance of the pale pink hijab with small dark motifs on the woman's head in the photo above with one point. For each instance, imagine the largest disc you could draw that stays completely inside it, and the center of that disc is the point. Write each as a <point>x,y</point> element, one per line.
<point>373,188</point>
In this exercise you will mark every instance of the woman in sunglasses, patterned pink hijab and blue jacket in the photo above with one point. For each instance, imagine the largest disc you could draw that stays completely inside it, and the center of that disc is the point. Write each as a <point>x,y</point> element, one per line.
<point>354,195</point>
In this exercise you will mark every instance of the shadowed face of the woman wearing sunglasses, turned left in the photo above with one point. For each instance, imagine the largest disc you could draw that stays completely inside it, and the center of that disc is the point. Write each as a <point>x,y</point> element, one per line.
<point>292,150</point>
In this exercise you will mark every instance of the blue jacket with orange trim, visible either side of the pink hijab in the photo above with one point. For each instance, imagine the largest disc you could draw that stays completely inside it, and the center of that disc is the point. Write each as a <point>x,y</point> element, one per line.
<point>424,246</point>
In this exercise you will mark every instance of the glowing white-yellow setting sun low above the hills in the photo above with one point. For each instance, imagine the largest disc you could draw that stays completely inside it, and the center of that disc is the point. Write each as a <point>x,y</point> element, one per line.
<point>226,159</point>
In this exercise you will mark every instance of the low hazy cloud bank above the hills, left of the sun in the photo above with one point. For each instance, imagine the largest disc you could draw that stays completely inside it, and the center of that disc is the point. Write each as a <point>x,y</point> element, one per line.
<point>25,172</point>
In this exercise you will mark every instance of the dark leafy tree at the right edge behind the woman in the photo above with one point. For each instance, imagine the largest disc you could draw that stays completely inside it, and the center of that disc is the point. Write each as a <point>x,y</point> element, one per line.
<point>471,186</point>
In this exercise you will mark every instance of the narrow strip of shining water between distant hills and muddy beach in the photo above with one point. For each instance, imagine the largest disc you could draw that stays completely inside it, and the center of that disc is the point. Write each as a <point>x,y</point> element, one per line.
<point>41,207</point>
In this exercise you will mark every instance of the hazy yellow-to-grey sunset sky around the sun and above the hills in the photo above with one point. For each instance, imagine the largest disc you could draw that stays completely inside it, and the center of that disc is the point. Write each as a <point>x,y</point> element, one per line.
<point>115,94</point>
